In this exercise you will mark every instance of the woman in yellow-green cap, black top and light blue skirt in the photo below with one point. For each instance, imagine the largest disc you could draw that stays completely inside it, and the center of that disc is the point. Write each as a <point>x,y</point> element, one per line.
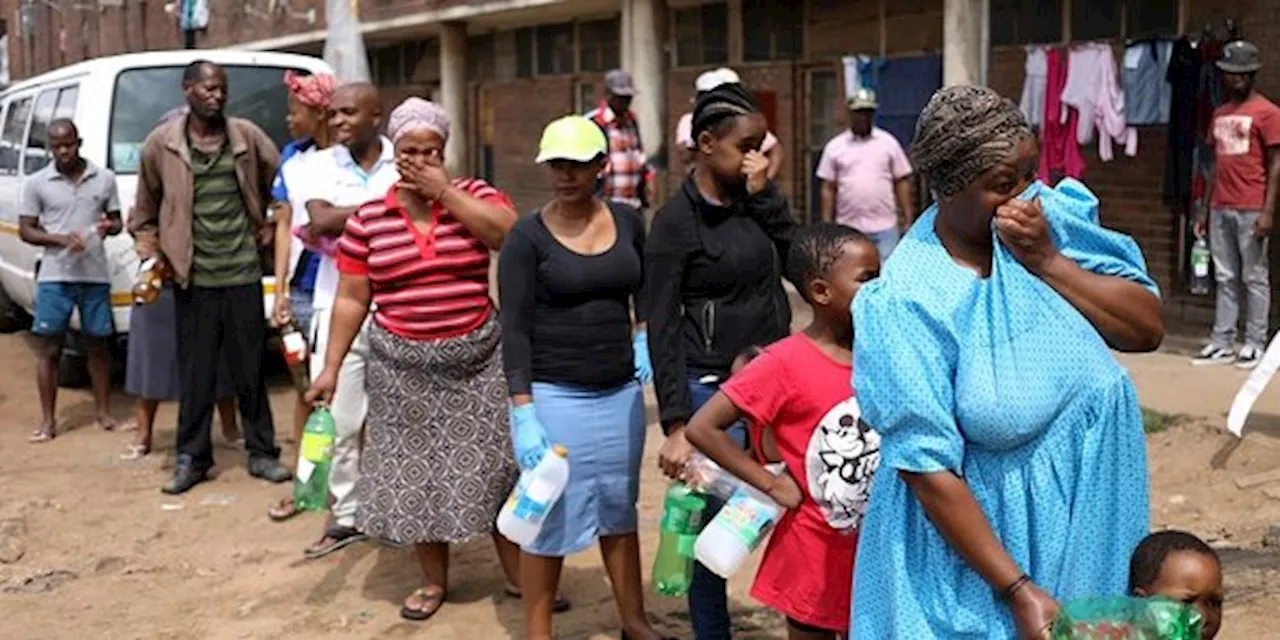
<point>568,278</point>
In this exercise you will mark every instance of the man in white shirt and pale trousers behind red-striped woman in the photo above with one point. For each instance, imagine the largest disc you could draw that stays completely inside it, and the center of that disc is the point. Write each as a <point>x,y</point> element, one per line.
<point>358,170</point>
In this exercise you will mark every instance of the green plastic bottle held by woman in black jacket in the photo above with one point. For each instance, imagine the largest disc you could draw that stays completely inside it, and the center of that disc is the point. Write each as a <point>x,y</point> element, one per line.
<point>682,522</point>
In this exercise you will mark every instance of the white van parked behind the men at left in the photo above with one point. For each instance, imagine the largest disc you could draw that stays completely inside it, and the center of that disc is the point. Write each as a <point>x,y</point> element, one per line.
<point>116,102</point>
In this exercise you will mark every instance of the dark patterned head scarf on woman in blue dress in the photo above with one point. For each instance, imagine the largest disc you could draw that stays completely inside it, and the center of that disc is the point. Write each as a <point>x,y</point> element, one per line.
<point>964,131</point>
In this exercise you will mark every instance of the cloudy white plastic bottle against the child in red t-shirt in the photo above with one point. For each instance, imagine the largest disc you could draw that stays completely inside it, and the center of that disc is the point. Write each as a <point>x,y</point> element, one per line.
<point>738,529</point>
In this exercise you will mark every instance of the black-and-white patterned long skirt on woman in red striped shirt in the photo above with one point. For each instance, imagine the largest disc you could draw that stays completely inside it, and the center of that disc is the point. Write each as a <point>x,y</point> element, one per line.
<point>437,463</point>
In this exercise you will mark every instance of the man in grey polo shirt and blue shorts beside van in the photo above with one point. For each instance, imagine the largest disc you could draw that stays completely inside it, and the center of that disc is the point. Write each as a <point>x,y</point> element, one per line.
<point>68,208</point>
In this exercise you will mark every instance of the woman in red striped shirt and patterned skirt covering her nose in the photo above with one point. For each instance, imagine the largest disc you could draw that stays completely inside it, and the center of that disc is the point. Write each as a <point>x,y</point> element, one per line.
<point>437,463</point>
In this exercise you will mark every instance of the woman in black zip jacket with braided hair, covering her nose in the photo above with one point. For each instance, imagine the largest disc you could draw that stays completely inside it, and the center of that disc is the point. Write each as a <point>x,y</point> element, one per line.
<point>714,287</point>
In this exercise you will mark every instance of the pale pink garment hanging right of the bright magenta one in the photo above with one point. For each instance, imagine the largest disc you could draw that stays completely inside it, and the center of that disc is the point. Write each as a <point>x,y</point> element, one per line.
<point>1094,89</point>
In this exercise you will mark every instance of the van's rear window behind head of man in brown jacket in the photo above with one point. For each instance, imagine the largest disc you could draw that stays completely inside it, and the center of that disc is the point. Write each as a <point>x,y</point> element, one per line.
<point>144,97</point>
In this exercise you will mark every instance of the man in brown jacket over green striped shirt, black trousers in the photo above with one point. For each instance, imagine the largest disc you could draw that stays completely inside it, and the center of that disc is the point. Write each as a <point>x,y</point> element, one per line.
<point>204,186</point>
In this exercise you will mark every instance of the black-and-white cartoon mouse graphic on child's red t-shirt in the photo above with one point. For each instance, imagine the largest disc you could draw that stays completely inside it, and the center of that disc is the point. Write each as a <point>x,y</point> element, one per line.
<point>840,461</point>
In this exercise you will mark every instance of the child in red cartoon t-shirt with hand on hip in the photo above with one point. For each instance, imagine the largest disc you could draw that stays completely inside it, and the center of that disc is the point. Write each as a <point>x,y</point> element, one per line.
<point>799,392</point>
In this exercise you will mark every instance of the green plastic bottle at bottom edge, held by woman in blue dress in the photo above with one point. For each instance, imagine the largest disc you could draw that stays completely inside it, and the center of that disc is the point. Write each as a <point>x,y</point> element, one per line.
<point>1127,619</point>
